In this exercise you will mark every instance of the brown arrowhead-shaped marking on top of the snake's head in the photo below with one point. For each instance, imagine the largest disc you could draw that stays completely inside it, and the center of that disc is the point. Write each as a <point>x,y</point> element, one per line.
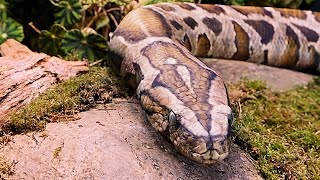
<point>200,79</point>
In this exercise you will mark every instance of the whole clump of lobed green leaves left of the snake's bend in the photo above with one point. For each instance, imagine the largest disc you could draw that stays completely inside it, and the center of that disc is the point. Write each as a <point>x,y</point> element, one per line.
<point>76,39</point>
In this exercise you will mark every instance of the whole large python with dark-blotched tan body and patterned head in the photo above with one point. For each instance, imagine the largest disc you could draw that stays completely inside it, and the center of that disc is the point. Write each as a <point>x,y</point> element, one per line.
<point>182,97</point>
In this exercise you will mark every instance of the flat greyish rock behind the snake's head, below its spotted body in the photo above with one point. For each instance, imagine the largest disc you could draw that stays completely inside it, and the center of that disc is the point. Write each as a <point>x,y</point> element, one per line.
<point>276,78</point>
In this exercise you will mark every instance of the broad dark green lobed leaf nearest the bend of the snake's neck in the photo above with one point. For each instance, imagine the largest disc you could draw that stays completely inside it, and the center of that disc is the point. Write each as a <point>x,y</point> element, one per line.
<point>89,46</point>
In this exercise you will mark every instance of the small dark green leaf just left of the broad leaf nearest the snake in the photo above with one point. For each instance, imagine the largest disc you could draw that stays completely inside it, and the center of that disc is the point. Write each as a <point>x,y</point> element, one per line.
<point>50,41</point>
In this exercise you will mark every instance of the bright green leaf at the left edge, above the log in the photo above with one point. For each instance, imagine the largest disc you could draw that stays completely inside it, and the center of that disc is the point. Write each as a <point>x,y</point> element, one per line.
<point>9,28</point>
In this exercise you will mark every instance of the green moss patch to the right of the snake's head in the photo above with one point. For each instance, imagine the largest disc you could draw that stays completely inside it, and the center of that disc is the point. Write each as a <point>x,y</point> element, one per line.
<point>281,131</point>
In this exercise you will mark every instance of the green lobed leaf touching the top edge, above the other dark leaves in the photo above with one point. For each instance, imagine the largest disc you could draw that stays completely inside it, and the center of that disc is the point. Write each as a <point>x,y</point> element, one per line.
<point>69,12</point>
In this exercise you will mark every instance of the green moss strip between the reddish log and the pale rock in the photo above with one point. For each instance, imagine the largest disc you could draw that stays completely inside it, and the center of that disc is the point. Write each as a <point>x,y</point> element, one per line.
<point>64,100</point>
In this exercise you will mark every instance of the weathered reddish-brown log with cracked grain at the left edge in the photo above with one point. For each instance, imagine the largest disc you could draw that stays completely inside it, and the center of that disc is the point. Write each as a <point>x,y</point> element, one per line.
<point>25,74</point>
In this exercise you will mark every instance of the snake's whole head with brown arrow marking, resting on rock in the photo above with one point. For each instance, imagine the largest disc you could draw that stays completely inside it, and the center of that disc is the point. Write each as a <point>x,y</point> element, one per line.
<point>184,100</point>
